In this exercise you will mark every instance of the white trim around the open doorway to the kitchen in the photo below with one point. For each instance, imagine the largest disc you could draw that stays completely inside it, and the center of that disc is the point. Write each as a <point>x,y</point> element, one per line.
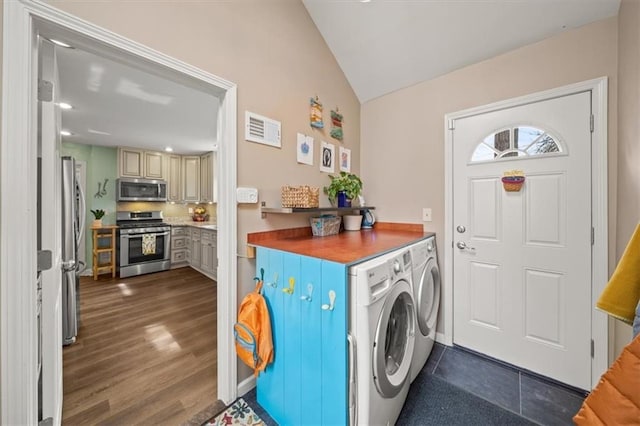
<point>21,20</point>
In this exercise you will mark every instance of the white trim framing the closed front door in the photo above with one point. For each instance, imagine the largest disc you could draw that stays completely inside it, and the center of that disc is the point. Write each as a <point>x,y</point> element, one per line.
<point>599,272</point>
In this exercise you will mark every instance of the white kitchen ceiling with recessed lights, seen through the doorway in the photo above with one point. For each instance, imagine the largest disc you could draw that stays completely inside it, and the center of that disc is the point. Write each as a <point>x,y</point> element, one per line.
<point>115,104</point>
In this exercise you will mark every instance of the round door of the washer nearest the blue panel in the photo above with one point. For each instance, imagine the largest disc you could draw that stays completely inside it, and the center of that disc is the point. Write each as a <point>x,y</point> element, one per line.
<point>394,340</point>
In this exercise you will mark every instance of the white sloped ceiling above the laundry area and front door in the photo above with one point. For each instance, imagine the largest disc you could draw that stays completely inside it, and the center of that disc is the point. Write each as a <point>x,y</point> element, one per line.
<point>386,45</point>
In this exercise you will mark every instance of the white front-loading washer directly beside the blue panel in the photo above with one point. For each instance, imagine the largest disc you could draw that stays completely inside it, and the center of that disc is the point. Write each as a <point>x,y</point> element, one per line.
<point>381,337</point>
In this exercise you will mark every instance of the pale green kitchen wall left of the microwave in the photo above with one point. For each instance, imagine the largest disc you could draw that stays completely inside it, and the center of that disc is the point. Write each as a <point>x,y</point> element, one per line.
<point>101,164</point>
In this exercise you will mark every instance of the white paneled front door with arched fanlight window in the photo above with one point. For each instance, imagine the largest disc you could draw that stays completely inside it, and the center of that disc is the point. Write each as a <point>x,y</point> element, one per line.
<point>522,259</point>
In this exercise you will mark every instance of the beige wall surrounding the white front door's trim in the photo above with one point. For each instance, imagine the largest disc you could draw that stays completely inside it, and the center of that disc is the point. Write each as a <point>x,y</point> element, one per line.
<point>408,125</point>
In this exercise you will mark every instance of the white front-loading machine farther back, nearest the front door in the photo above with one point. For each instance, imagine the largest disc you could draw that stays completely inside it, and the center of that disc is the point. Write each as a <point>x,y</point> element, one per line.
<point>426,293</point>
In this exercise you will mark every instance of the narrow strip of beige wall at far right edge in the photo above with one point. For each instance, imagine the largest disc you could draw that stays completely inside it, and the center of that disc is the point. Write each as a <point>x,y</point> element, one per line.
<point>628,214</point>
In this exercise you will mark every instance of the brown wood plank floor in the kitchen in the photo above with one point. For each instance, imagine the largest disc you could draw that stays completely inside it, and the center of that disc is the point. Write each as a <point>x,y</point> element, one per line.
<point>146,351</point>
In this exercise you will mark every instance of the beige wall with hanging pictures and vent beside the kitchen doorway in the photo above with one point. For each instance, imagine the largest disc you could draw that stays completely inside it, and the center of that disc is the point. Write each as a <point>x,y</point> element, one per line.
<point>278,59</point>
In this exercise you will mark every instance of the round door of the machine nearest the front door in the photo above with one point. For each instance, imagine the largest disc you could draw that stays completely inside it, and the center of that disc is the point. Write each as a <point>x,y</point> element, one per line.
<point>428,297</point>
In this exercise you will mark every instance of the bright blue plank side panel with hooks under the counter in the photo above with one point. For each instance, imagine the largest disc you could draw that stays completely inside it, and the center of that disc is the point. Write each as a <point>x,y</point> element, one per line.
<point>307,382</point>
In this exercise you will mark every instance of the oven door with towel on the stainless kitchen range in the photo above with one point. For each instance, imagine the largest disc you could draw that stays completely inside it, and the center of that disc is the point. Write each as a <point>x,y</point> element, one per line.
<point>137,248</point>
